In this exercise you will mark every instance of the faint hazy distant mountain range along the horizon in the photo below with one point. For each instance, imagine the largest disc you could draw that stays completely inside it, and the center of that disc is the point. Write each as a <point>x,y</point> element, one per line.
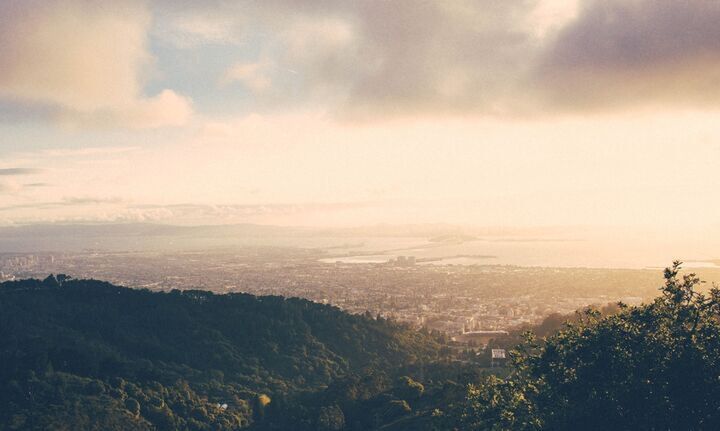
<point>150,236</point>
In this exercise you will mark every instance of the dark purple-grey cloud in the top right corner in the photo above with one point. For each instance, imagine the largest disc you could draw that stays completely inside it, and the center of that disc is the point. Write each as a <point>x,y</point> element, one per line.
<point>634,52</point>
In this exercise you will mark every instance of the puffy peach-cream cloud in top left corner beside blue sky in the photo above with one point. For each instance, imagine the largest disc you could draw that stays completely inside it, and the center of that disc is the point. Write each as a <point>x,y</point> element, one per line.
<point>84,60</point>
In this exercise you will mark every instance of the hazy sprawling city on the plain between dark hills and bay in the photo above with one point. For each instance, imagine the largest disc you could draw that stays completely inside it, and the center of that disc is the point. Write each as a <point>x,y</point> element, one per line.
<point>450,298</point>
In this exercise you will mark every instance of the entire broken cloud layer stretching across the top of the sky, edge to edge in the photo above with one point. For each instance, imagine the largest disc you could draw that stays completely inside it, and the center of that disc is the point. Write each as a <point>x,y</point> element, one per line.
<point>84,62</point>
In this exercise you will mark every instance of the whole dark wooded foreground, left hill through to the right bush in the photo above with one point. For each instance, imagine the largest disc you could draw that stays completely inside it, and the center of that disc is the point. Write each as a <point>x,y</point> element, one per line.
<point>80,355</point>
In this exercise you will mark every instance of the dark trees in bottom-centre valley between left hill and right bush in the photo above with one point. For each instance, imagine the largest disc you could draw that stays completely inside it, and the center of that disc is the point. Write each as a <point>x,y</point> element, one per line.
<point>392,399</point>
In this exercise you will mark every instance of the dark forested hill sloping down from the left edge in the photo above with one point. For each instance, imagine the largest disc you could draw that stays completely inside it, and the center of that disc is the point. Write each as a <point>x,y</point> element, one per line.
<point>86,354</point>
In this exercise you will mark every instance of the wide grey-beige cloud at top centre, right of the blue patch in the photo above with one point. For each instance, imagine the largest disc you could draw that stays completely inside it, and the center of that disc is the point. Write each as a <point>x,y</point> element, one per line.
<point>373,59</point>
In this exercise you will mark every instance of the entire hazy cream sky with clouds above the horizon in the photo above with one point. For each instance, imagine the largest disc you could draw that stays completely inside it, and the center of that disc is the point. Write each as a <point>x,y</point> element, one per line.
<point>505,112</point>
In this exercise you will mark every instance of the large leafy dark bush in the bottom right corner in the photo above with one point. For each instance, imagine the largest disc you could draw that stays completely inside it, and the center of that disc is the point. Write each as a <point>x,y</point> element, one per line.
<point>651,367</point>
